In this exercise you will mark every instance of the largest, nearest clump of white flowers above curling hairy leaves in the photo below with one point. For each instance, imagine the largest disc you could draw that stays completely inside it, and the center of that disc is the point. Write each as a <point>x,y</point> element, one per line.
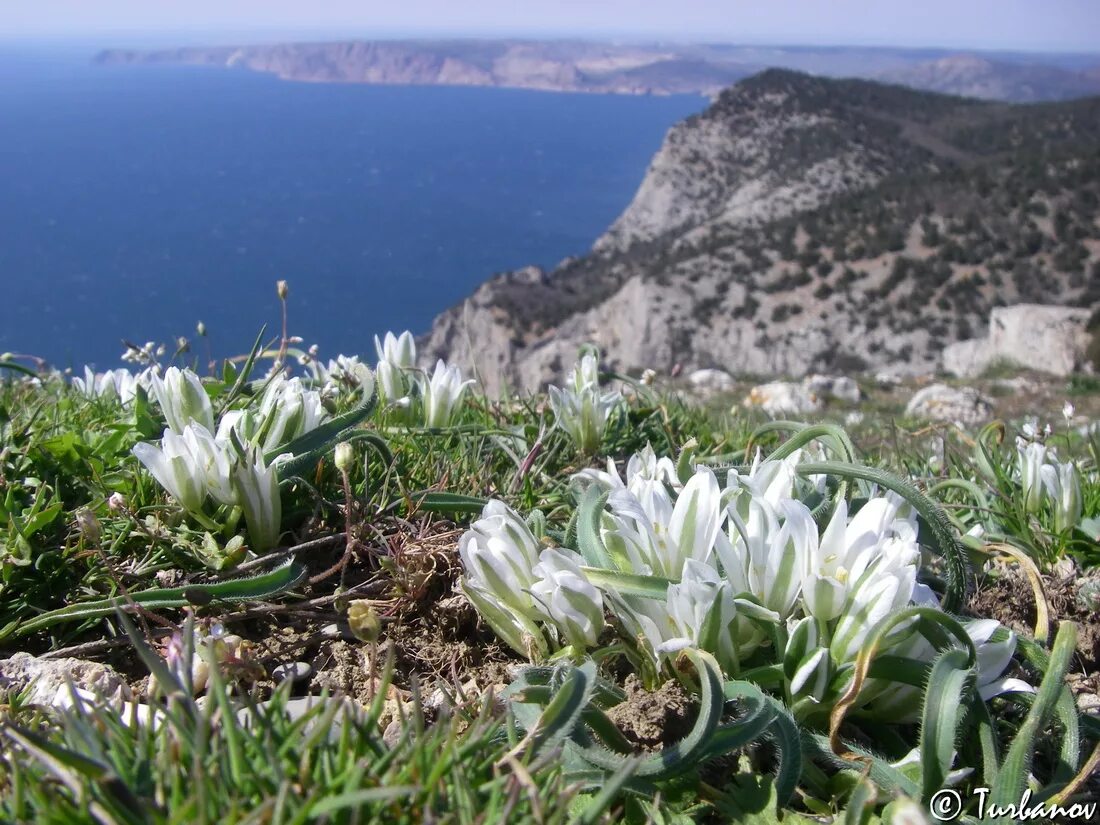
<point>747,575</point>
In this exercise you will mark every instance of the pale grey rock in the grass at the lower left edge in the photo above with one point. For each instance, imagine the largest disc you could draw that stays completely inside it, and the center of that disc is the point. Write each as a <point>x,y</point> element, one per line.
<point>49,679</point>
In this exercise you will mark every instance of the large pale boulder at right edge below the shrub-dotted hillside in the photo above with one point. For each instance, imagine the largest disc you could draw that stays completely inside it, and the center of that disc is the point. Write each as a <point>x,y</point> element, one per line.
<point>1033,336</point>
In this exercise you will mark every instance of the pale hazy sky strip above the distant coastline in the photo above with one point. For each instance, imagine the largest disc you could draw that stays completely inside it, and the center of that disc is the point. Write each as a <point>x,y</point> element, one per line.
<point>1025,25</point>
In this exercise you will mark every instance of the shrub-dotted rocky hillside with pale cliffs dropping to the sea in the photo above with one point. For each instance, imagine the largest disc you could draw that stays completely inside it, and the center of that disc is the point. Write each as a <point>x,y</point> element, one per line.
<point>808,225</point>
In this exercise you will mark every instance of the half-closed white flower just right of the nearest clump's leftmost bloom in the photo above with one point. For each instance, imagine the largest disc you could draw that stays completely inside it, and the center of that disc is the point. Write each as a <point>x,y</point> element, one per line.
<point>567,598</point>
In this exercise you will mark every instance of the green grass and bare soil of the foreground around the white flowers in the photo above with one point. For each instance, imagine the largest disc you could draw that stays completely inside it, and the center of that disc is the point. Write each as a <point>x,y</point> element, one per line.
<point>100,560</point>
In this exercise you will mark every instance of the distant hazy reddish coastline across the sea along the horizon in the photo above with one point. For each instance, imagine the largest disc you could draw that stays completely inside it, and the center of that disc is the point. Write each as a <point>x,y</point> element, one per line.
<point>629,69</point>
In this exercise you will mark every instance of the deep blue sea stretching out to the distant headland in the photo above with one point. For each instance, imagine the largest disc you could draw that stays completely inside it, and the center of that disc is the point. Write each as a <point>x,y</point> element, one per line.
<point>136,202</point>
